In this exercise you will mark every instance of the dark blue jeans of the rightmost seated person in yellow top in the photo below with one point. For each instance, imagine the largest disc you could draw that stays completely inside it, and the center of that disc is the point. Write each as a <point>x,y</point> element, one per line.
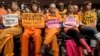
<point>90,33</point>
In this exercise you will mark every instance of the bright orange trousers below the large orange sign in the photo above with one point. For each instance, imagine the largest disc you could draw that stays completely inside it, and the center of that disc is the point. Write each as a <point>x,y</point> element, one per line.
<point>35,33</point>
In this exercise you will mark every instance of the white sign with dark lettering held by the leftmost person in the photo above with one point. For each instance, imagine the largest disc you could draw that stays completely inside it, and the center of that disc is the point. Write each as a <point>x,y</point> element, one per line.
<point>10,20</point>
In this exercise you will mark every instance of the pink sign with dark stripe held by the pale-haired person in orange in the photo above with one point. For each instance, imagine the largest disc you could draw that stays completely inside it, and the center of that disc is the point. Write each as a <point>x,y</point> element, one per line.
<point>53,23</point>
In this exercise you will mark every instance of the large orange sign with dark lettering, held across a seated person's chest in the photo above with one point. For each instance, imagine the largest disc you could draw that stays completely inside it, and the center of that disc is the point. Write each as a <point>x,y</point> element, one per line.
<point>33,20</point>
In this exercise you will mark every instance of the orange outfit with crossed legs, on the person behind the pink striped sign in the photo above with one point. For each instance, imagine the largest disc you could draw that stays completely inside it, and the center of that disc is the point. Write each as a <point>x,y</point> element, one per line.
<point>53,27</point>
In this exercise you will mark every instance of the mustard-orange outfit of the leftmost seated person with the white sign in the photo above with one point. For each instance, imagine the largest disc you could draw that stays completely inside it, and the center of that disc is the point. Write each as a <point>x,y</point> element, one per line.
<point>6,38</point>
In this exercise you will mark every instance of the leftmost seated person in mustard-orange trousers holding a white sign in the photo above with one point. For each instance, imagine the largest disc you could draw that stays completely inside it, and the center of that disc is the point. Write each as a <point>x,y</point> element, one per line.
<point>7,34</point>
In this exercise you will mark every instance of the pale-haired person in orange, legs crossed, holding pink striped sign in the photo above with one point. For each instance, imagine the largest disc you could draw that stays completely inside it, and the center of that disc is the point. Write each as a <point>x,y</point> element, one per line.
<point>53,21</point>
